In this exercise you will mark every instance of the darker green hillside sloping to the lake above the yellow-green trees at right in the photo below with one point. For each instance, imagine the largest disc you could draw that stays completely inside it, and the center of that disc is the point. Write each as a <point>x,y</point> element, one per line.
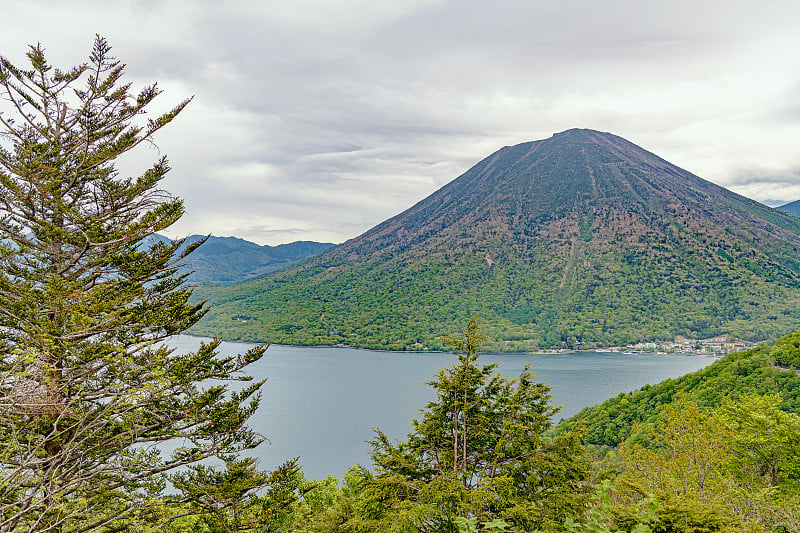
<point>763,370</point>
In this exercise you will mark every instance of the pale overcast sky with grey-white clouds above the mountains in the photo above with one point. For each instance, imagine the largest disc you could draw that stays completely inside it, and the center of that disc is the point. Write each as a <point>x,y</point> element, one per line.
<point>316,120</point>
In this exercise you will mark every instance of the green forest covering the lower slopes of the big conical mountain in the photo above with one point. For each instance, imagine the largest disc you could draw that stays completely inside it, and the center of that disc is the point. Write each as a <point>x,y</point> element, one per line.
<point>612,299</point>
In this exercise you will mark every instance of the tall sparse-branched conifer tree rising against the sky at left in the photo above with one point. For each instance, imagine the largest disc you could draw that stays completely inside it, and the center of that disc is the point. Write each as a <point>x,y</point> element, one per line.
<point>95,414</point>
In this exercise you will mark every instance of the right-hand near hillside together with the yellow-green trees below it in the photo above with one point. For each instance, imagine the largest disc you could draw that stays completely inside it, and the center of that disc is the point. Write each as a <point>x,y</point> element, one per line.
<point>717,448</point>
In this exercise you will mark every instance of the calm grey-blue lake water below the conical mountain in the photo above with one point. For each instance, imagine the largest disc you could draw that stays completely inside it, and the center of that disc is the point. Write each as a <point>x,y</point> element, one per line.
<point>321,403</point>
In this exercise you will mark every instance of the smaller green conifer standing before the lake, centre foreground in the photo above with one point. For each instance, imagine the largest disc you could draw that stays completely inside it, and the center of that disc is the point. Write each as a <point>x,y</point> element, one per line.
<point>477,451</point>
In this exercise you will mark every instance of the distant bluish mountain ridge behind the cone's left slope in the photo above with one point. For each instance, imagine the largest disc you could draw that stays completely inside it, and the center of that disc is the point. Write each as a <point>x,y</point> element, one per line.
<point>229,259</point>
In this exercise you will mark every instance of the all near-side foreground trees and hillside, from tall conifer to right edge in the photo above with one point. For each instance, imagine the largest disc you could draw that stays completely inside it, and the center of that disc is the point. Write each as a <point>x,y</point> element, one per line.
<point>104,429</point>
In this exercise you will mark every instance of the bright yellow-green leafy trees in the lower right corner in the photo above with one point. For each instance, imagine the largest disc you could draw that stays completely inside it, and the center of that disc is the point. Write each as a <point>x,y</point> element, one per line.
<point>713,469</point>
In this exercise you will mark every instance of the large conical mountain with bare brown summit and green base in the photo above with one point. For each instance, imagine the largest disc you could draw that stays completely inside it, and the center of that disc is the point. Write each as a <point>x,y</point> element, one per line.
<point>580,240</point>
